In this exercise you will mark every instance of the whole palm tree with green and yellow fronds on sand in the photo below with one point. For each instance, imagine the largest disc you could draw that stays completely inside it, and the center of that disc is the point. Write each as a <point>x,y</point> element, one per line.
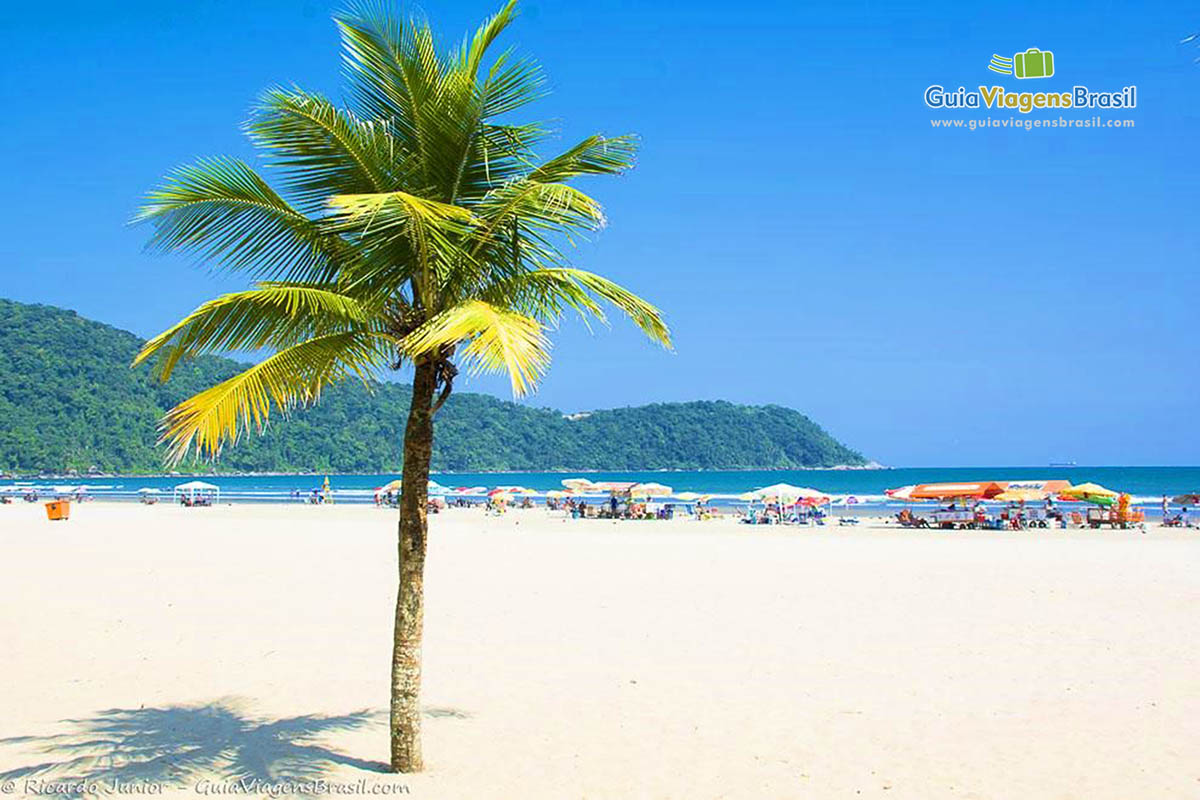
<point>416,227</point>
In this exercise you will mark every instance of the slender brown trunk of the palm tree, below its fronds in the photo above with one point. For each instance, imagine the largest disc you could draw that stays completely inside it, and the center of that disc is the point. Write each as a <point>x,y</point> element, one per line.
<point>406,658</point>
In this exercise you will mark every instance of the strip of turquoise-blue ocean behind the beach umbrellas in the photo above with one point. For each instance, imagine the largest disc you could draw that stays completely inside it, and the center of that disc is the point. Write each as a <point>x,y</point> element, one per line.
<point>1148,485</point>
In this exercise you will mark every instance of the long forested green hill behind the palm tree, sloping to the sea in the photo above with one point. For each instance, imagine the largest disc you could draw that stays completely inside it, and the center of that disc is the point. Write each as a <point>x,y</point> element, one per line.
<point>70,401</point>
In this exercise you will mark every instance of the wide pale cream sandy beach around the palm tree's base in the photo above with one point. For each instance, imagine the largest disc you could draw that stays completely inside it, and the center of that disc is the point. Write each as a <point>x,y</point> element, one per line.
<point>571,659</point>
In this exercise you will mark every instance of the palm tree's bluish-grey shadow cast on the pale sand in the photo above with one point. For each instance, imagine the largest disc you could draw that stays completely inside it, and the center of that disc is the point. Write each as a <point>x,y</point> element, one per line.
<point>175,745</point>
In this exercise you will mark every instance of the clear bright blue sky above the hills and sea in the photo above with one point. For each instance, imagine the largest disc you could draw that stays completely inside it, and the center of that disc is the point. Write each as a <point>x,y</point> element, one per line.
<point>931,297</point>
